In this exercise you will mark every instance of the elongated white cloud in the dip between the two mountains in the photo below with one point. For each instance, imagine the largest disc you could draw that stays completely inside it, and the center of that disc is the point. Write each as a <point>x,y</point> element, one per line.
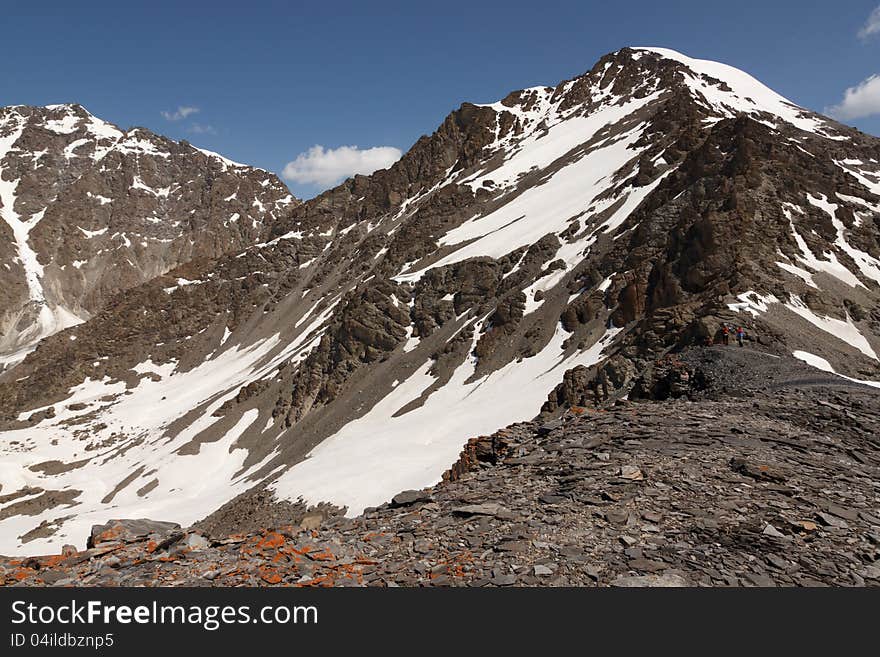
<point>320,166</point>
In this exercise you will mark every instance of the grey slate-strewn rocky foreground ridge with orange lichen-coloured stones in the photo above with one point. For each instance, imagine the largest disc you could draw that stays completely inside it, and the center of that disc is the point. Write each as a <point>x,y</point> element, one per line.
<point>753,470</point>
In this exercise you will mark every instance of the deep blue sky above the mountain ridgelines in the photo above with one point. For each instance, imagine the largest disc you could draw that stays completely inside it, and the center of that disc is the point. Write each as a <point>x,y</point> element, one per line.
<point>272,80</point>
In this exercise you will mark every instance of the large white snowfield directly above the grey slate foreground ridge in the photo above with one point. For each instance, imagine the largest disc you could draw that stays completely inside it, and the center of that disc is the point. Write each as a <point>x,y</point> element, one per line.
<point>378,455</point>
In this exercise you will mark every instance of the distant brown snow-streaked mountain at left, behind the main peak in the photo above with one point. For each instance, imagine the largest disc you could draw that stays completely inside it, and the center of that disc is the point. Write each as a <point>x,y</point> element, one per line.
<point>89,210</point>
